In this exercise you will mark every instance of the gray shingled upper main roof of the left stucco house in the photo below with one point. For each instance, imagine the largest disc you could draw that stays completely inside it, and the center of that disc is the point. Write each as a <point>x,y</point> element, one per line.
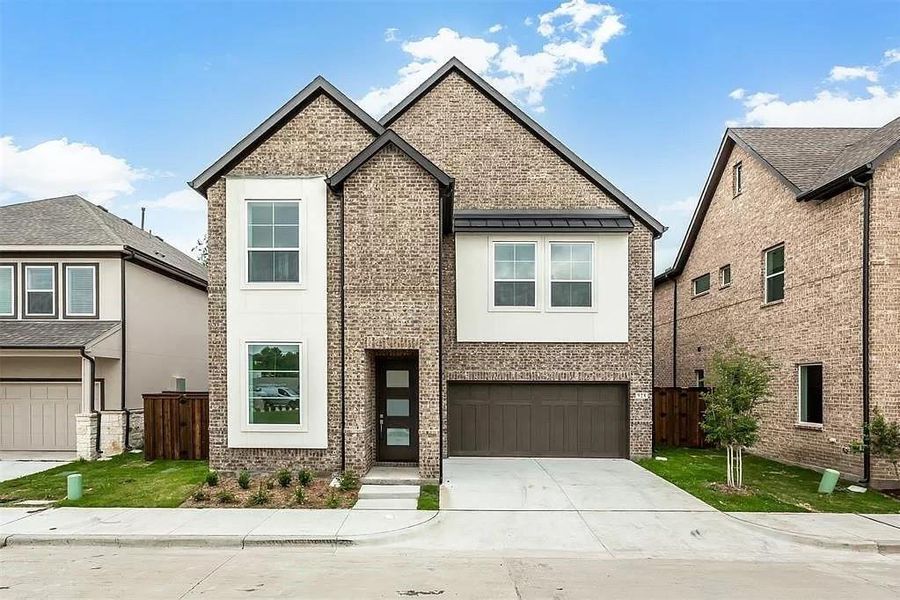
<point>73,221</point>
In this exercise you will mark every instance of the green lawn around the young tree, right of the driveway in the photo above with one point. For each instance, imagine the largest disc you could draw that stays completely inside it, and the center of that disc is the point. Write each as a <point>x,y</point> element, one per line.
<point>772,486</point>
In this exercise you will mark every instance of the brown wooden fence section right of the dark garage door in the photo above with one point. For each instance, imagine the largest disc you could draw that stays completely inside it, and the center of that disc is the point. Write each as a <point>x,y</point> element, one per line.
<point>677,413</point>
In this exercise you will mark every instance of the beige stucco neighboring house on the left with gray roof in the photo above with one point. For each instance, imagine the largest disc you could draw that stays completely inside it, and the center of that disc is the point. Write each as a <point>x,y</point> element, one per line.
<point>94,312</point>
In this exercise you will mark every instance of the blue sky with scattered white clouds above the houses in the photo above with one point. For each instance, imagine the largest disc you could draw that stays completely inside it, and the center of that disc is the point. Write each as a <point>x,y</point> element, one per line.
<point>125,101</point>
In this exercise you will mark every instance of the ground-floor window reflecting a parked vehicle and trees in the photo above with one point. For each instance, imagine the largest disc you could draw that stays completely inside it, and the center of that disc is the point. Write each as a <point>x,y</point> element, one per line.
<point>274,384</point>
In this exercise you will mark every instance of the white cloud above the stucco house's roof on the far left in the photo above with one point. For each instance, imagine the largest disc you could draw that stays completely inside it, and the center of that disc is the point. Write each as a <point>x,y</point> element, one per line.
<point>60,167</point>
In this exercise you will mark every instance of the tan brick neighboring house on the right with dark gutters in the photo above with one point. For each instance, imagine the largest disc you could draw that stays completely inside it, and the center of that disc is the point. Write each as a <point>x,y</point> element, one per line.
<point>775,259</point>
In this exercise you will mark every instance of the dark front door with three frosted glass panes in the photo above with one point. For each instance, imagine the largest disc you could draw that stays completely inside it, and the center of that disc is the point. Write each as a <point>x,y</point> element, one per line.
<point>397,410</point>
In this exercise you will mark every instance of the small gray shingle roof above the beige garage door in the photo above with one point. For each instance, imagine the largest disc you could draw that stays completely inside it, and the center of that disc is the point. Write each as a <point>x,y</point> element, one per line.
<point>52,334</point>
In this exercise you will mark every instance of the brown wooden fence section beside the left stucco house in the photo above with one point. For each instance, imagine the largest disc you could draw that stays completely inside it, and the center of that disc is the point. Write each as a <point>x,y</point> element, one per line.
<point>176,425</point>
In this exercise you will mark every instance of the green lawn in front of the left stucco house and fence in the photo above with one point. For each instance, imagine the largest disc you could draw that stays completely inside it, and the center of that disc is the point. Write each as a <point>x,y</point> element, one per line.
<point>125,480</point>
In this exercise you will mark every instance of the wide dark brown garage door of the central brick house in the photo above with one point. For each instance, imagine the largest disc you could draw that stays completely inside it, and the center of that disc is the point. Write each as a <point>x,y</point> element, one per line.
<point>538,419</point>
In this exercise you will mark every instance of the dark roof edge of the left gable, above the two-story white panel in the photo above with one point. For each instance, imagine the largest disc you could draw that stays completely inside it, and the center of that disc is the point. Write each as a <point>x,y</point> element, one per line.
<point>317,86</point>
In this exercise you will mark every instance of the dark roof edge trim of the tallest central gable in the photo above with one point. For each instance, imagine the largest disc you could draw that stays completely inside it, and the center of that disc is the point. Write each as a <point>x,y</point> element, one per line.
<point>455,65</point>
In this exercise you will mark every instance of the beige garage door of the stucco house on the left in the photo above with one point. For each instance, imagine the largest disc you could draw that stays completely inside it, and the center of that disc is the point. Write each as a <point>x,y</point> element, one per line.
<point>38,416</point>
